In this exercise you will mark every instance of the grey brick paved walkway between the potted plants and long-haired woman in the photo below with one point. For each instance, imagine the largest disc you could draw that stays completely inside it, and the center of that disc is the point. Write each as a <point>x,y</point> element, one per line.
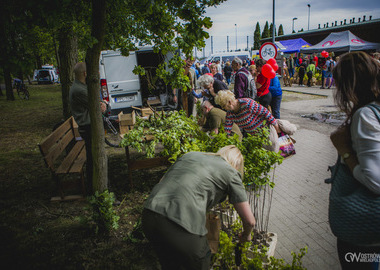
<point>299,212</point>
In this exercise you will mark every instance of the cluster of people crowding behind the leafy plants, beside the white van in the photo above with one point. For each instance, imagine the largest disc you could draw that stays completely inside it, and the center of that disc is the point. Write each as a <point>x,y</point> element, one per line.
<point>244,82</point>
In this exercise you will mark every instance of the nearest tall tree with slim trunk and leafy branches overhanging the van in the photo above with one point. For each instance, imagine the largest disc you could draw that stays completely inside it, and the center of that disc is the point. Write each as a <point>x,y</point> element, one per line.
<point>168,24</point>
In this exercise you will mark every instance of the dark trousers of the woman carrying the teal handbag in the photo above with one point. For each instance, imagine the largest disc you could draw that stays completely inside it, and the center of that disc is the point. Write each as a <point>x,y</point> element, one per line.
<point>354,257</point>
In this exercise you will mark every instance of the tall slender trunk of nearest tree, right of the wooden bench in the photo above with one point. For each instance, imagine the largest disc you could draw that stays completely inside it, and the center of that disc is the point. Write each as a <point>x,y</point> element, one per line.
<point>100,173</point>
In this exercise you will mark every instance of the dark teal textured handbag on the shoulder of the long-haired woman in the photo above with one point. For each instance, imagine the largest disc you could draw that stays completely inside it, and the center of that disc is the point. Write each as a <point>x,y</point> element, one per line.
<point>354,211</point>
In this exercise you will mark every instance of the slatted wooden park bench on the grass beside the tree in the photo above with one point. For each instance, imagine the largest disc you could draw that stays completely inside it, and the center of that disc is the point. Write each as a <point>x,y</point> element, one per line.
<point>64,154</point>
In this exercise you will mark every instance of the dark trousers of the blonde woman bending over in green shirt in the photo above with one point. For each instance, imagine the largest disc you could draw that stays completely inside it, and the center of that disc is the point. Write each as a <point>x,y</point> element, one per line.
<point>176,248</point>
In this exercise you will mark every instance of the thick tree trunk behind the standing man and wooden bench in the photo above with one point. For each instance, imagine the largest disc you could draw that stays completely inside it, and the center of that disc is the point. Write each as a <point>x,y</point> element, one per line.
<point>68,56</point>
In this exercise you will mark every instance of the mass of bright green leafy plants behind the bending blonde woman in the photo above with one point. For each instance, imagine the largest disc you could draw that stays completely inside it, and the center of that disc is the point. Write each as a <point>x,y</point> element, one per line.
<point>179,134</point>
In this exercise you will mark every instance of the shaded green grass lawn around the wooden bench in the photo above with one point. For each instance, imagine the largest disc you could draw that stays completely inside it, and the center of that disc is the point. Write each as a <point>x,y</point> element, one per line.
<point>38,234</point>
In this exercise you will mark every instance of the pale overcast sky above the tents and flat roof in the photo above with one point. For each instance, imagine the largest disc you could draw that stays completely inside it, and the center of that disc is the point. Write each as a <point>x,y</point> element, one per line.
<point>246,13</point>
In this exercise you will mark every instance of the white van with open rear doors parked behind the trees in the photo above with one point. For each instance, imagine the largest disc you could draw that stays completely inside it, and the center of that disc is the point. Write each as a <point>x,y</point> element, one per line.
<point>120,86</point>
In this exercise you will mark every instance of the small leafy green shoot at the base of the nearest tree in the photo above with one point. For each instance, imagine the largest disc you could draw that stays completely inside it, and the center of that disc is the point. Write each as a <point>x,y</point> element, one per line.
<point>103,215</point>
